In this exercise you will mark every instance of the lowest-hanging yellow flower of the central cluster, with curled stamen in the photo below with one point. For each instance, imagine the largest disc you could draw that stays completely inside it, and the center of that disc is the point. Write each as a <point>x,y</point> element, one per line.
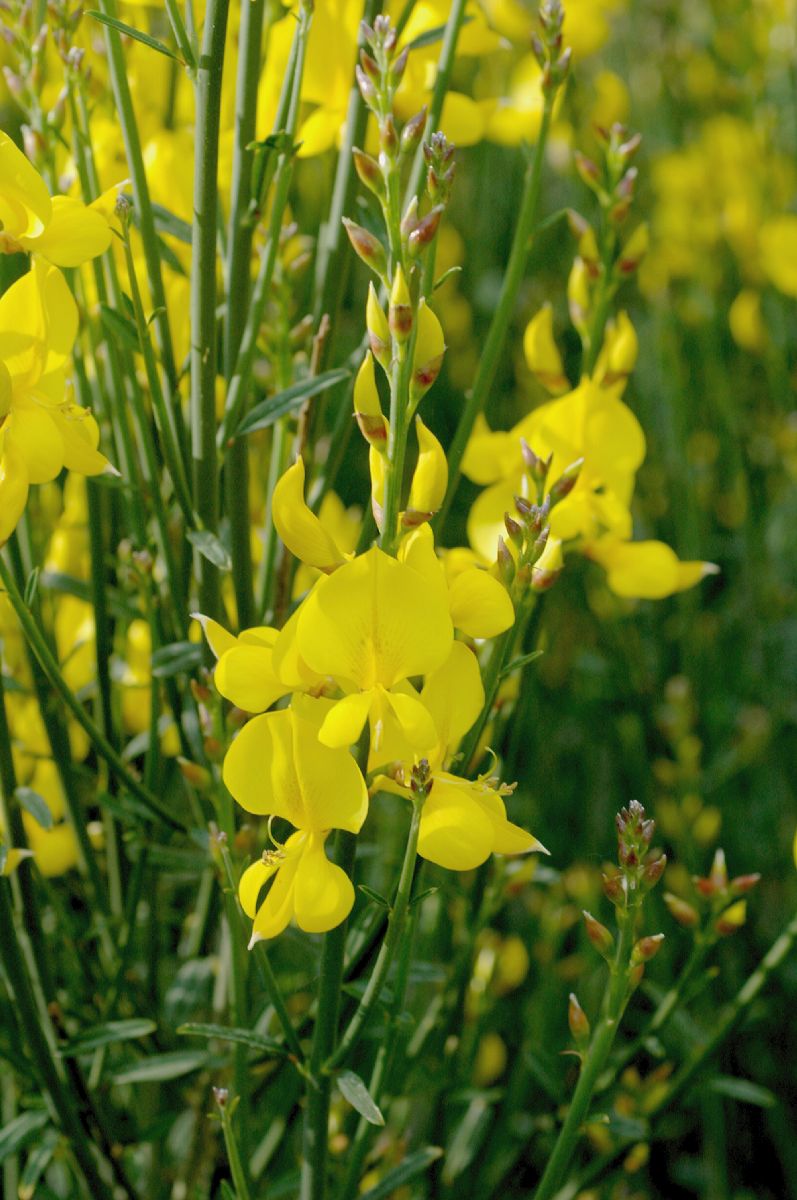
<point>278,767</point>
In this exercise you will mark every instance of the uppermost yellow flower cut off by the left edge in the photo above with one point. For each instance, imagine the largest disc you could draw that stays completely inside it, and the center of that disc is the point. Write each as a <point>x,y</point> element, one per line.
<point>61,229</point>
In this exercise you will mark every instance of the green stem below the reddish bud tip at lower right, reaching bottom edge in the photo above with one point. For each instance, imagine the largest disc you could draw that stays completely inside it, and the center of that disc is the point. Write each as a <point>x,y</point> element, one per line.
<point>603,1040</point>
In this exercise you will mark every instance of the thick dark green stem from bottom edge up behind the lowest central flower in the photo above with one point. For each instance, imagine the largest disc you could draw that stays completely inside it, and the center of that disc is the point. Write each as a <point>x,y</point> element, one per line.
<point>320,1088</point>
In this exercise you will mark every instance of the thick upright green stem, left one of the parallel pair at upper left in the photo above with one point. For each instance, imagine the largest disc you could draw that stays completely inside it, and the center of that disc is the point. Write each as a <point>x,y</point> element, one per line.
<point>203,293</point>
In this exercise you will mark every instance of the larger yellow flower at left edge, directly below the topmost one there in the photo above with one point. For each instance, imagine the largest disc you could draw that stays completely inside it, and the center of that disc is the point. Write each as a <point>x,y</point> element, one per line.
<point>41,430</point>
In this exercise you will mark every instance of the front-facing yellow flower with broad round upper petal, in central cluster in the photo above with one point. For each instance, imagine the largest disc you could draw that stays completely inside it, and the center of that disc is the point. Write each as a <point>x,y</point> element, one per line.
<point>371,626</point>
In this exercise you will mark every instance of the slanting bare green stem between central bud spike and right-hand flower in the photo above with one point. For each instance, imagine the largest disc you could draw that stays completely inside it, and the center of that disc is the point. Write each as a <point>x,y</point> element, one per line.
<point>505,311</point>
